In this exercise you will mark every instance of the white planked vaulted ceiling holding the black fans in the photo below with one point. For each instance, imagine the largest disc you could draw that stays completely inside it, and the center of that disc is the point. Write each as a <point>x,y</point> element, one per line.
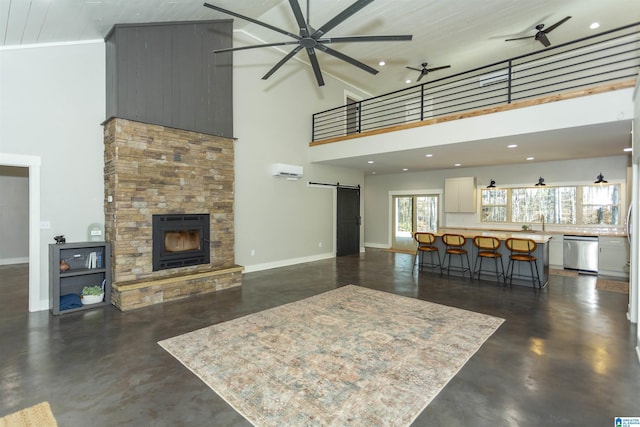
<point>462,33</point>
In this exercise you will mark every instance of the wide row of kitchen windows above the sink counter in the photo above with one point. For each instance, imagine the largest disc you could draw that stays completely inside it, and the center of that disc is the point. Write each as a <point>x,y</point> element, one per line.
<point>575,205</point>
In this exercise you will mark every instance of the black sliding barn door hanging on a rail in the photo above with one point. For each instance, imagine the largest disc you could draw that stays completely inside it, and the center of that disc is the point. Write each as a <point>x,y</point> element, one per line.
<point>348,233</point>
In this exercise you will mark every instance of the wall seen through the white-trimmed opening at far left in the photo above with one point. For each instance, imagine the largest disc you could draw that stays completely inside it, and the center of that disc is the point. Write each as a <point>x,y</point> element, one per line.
<point>14,215</point>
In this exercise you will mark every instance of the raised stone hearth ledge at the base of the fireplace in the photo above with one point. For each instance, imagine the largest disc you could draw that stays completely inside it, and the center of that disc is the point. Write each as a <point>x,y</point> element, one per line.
<point>138,294</point>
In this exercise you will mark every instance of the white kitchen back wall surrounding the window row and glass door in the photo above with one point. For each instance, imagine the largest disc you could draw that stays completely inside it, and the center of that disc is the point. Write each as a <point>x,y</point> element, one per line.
<point>377,187</point>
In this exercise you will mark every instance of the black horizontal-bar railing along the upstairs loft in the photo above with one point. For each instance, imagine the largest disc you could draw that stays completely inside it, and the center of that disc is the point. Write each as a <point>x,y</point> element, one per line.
<point>606,58</point>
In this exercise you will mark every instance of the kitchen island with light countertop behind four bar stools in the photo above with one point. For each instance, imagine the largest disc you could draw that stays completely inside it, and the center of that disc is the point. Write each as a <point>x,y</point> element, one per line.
<point>522,272</point>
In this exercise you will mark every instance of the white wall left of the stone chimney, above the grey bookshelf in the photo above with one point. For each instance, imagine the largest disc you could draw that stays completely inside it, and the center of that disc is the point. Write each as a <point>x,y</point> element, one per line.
<point>52,101</point>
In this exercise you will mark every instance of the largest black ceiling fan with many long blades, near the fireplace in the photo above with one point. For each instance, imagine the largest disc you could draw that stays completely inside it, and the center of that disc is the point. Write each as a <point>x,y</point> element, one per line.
<point>312,39</point>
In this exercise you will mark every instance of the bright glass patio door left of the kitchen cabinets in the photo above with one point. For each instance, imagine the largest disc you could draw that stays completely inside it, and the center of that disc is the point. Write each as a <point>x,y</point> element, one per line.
<point>412,213</point>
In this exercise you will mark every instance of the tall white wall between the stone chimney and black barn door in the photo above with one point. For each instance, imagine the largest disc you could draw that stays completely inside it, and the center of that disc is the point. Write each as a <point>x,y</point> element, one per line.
<point>280,221</point>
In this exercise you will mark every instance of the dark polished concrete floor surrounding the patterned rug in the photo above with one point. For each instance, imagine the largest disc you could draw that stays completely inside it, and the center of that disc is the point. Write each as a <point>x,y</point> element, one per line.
<point>565,355</point>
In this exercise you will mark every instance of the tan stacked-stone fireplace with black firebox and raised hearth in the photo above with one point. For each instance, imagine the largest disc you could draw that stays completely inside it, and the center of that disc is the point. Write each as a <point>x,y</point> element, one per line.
<point>155,177</point>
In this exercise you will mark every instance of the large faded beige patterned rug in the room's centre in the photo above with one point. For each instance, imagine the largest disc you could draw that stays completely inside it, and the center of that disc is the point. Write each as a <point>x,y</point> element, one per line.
<point>351,356</point>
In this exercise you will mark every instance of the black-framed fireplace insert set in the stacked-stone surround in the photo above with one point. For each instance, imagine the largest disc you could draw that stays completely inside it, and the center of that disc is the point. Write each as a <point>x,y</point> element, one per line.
<point>180,240</point>
